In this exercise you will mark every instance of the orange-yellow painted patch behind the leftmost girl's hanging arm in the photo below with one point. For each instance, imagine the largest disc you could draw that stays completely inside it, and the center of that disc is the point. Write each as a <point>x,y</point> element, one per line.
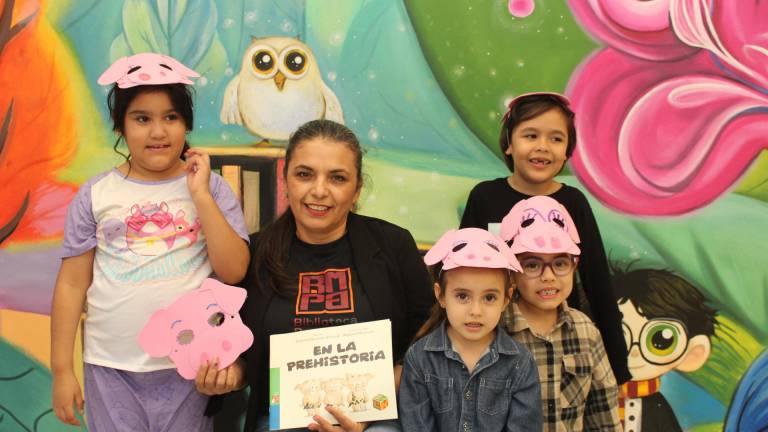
<point>31,333</point>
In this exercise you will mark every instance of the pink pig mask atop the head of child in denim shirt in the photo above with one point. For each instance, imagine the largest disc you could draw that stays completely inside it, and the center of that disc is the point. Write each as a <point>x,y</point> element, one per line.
<point>471,247</point>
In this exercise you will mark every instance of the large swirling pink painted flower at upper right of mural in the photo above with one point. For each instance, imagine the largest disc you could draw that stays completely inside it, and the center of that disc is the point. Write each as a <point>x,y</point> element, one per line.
<point>667,137</point>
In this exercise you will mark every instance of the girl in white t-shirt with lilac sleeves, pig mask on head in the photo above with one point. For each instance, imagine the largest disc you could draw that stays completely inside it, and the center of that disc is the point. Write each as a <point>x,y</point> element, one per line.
<point>136,238</point>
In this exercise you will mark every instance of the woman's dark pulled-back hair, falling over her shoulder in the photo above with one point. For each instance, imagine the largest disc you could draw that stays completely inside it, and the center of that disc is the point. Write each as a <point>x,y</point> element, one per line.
<point>271,253</point>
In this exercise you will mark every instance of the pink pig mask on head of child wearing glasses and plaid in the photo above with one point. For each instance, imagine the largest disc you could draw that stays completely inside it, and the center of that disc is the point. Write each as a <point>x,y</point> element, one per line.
<point>540,224</point>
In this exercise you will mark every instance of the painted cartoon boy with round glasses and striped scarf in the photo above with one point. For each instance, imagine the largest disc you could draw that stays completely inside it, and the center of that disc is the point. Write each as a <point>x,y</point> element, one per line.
<point>667,326</point>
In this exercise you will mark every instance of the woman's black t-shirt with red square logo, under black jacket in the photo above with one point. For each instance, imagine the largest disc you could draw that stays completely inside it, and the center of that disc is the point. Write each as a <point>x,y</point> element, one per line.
<point>325,290</point>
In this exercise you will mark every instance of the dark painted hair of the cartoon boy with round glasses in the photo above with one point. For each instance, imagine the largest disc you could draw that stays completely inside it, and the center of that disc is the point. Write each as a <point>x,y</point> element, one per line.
<point>659,293</point>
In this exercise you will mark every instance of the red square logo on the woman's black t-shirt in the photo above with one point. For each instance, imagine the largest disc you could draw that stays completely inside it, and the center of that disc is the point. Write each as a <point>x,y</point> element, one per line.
<point>326,292</point>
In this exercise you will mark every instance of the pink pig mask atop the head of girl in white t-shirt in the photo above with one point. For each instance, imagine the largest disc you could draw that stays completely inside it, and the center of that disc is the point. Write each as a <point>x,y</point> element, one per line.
<point>146,69</point>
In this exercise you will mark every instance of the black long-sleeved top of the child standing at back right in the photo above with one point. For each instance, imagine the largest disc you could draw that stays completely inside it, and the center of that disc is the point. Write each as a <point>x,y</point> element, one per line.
<point>491,200</point>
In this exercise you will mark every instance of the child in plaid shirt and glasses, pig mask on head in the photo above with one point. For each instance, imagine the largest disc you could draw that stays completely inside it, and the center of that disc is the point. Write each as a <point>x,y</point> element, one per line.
<point>578,389</point>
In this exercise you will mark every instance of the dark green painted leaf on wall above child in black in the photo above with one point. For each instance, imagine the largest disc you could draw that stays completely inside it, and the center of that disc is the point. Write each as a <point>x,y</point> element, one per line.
<point>481,55</point>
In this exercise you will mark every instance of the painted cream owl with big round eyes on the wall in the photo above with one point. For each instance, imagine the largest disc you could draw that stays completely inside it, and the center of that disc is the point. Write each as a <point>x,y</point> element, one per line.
<point>279,87</point>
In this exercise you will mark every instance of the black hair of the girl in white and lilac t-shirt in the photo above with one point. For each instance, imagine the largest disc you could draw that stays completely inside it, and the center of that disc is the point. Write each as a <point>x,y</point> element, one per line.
<point>118,99</point>
